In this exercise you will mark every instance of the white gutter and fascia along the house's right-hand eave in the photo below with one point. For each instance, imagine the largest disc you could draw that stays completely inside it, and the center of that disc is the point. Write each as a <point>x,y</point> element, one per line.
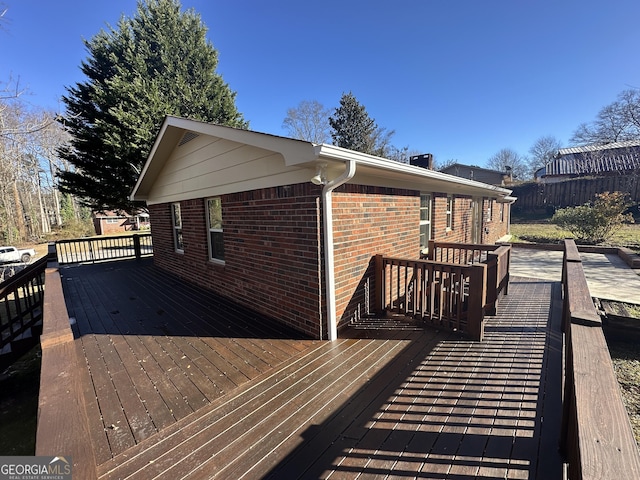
<point>411,172</point>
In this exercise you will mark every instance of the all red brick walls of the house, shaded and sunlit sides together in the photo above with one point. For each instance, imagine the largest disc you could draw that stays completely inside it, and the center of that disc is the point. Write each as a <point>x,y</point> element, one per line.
<point>273,246</point>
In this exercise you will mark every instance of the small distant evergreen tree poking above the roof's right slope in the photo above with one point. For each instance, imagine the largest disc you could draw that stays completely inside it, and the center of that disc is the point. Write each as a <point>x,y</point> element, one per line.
<point>352,127</point>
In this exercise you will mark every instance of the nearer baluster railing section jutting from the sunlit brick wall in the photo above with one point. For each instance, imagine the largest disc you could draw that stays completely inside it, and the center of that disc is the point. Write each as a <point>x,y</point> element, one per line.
<point>444,295</point>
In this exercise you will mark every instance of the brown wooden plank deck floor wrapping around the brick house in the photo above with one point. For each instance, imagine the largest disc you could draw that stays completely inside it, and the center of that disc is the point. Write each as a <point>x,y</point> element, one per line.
<point>180,384</point>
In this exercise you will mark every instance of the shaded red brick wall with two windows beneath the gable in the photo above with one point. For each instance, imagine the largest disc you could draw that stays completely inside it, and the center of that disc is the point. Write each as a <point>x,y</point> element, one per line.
<point>271,252</point>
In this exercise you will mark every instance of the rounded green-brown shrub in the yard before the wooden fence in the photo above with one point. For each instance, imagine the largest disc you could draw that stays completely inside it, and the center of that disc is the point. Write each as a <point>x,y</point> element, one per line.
<point>597,221</point>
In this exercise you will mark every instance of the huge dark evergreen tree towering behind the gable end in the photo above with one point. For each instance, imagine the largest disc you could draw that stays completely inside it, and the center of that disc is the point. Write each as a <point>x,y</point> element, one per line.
<point>154,64</point>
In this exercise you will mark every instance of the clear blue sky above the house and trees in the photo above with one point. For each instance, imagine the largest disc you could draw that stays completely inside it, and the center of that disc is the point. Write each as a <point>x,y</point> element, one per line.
<point>460,79</point>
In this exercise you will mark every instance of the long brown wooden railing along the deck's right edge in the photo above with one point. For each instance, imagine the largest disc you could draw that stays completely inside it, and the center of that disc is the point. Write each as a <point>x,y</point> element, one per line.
<point>597,438</point>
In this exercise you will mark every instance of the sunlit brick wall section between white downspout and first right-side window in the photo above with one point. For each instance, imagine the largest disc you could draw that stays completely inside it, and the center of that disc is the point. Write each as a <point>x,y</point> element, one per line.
<point>369,221</point>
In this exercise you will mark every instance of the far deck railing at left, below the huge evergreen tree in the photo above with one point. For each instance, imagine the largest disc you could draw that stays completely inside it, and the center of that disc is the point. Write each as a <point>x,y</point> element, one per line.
<point>97,249</point>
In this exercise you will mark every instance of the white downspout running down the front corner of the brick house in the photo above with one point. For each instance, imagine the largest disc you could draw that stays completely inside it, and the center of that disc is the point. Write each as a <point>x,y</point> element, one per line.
<point>332,322</point>
